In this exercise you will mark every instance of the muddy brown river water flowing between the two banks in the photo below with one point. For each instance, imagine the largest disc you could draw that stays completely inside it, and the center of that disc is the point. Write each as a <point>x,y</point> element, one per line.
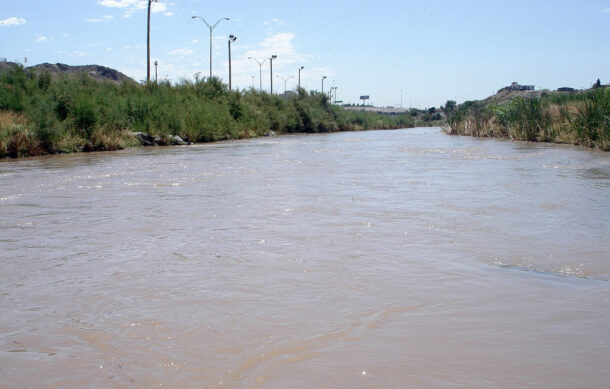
<point>382,259</point>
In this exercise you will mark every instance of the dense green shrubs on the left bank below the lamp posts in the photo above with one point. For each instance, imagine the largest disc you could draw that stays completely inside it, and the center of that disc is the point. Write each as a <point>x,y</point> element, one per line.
<point>44,114</point>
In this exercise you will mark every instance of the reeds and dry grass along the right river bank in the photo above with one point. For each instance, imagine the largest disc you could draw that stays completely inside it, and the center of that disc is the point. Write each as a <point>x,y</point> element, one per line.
<point>577,118</point>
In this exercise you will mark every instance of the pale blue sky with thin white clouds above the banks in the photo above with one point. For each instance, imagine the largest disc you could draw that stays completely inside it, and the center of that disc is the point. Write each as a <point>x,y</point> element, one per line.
<point>431,50</point>
